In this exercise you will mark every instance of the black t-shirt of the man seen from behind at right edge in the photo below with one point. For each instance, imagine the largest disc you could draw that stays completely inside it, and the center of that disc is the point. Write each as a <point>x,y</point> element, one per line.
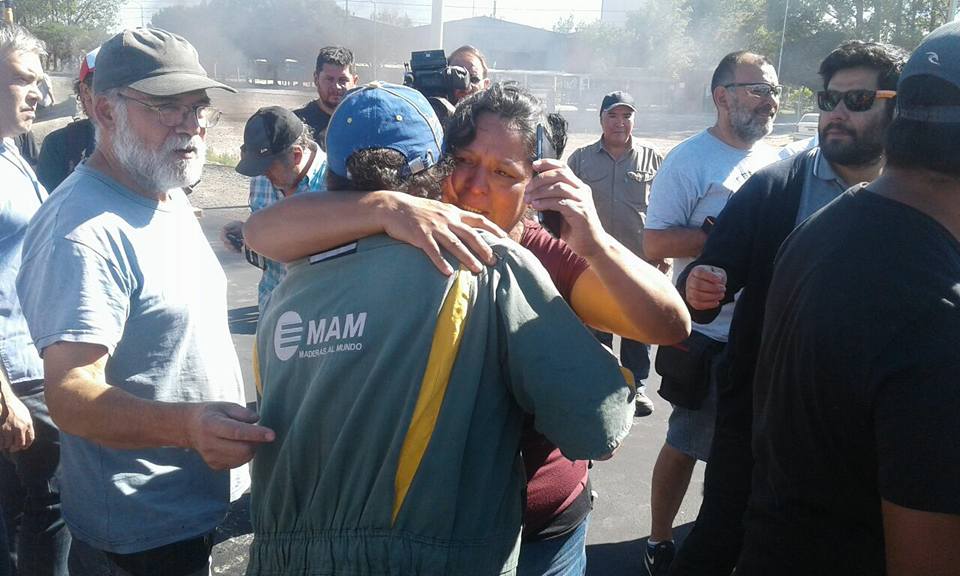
<point>857,390</point>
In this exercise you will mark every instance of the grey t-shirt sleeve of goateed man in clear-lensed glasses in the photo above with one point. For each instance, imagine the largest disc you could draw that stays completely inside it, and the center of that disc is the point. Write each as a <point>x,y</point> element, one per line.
<point>673,196</point>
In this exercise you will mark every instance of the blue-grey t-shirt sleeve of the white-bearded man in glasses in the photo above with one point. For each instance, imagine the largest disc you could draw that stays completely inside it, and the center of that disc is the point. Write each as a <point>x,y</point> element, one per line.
<point>93,310</point>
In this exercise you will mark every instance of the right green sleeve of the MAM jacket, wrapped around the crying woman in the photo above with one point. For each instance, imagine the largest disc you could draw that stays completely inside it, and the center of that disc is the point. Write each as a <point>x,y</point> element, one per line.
<point>558,371</point>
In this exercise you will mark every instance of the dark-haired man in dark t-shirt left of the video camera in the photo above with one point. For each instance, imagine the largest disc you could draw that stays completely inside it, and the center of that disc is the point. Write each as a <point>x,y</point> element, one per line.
<point>334,76</point>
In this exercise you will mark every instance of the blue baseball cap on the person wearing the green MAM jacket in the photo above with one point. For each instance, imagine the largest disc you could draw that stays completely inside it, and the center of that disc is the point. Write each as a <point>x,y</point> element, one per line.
<point>381,115</point>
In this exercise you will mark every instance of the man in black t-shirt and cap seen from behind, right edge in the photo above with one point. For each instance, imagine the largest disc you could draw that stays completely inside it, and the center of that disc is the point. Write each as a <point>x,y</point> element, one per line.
<point>857,389</point>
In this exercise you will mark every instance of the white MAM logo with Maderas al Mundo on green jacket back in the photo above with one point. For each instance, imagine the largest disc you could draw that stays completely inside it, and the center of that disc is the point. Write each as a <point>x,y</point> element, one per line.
<point>323,336</point>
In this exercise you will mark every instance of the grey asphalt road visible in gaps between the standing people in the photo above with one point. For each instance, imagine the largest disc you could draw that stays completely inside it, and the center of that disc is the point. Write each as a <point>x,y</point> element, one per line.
<point>621,519</point>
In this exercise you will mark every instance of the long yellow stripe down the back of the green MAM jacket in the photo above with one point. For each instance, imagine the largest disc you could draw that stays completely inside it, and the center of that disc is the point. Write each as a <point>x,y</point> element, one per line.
<point>443,352</point>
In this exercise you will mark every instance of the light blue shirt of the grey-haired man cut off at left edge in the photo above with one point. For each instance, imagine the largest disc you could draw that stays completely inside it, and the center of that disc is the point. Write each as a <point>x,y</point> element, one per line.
<point>21,198</point>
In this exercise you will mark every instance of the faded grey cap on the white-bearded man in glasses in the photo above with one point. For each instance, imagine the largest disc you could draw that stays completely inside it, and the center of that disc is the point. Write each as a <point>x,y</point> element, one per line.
<point>152,61</point>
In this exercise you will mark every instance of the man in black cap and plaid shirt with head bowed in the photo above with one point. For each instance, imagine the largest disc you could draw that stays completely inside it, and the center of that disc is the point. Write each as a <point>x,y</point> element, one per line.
<point>282,159</point>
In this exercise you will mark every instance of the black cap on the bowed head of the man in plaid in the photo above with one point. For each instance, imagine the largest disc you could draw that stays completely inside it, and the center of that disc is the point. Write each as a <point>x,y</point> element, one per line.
<point>269,133</point>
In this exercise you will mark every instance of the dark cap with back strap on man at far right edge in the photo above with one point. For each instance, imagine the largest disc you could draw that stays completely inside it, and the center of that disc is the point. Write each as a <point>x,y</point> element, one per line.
<point>938,55</point>
